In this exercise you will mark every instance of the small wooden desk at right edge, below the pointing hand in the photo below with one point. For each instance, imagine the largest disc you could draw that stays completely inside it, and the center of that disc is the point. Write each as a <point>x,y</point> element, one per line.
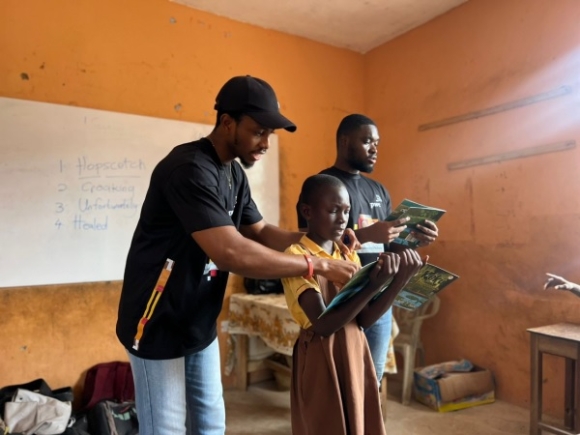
<point>562,340</point>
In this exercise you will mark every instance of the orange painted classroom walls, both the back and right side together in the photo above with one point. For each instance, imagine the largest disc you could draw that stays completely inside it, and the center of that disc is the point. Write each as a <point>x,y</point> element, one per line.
<point>507,223</point>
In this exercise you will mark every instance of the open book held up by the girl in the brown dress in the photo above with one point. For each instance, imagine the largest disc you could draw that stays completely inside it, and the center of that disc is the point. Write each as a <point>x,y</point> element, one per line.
<point>427,282</point>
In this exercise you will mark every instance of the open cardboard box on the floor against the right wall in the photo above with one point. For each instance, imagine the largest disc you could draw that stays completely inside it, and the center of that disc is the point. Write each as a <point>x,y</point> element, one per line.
<point>451,391</point>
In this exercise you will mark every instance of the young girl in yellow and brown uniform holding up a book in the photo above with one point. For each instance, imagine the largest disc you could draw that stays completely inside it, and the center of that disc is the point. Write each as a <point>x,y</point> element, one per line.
<point>334,388</point>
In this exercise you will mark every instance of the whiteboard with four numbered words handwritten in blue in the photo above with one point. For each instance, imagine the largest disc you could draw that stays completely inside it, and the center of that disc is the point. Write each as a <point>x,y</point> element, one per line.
<point>72,182</point>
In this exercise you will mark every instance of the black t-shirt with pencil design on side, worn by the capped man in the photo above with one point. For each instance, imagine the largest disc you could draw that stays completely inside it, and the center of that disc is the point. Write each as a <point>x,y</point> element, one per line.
<point>169,314</point>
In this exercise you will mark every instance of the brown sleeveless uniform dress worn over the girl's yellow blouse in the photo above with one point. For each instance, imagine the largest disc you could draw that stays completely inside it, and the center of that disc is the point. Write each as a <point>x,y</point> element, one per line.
<point>334,388</point>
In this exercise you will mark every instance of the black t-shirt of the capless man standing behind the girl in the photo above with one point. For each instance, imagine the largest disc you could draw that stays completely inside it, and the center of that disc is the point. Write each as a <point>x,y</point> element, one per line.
<point>369,202</point>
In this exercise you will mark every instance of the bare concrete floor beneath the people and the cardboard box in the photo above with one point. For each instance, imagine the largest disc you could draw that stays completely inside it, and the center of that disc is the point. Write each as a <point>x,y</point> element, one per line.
<point>263,410</point>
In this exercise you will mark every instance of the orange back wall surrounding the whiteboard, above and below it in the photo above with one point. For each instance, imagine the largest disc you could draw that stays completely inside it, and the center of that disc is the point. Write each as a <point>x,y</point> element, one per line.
<point>159,59</point>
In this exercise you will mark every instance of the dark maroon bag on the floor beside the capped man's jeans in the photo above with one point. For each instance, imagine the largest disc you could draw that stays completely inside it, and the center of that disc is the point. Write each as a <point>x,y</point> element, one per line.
<point>108,381</point>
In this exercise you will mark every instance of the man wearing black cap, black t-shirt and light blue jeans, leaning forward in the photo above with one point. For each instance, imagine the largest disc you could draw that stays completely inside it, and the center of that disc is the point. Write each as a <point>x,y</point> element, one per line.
<point>199,207</point>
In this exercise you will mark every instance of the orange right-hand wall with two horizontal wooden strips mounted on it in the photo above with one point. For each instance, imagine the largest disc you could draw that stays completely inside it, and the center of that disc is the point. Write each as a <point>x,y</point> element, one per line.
<point>507,223</point>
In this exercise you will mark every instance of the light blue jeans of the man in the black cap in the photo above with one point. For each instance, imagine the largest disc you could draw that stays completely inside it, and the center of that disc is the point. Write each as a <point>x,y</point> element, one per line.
<point>173,393</point>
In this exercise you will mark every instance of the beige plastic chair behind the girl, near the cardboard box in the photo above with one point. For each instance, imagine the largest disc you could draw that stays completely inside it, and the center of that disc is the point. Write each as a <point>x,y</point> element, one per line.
<point>408,341</point>
